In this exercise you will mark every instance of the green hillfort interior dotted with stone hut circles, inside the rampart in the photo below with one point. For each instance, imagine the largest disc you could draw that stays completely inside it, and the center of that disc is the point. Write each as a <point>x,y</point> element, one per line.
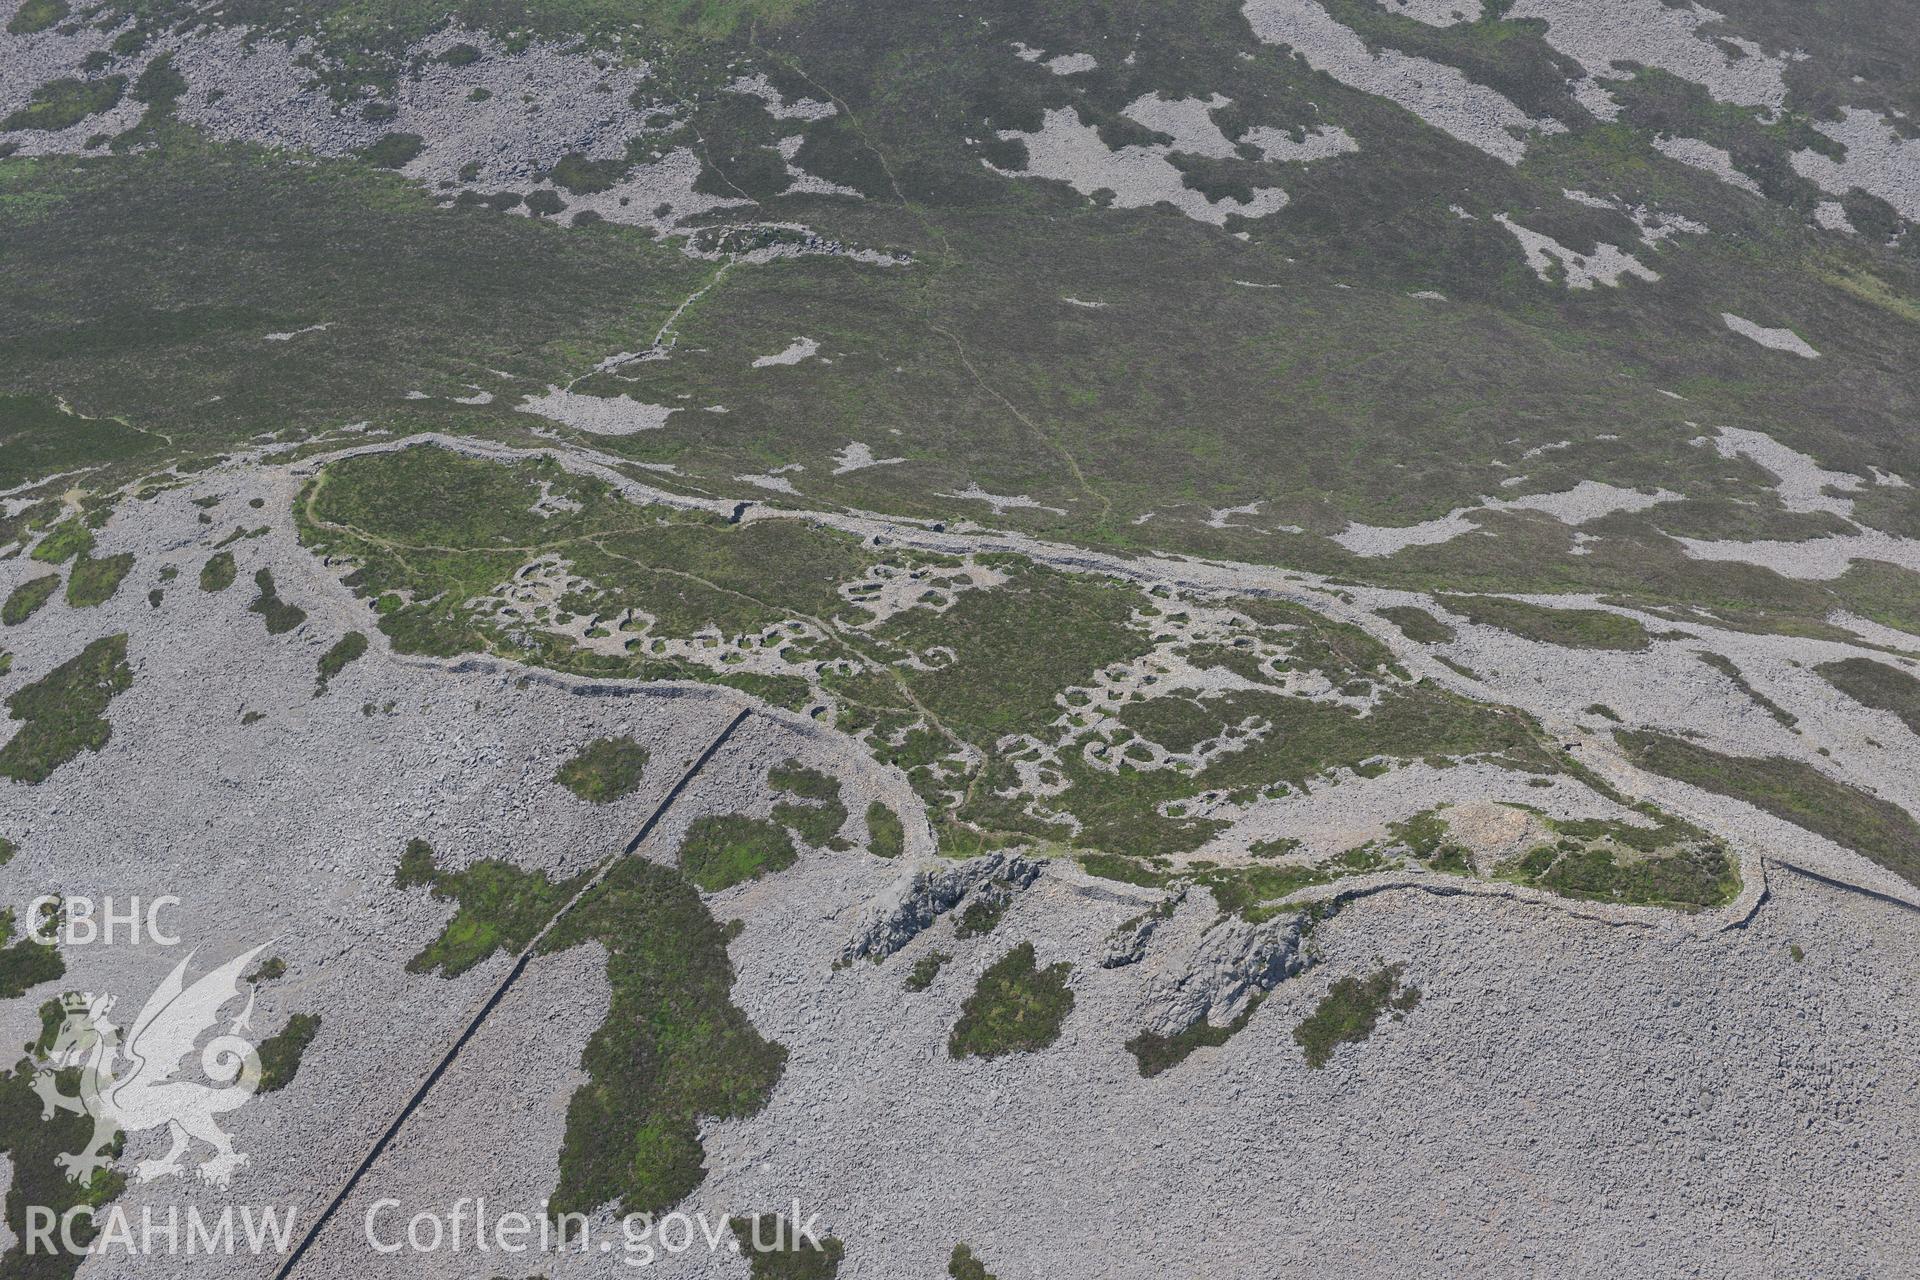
<point>938,692</point>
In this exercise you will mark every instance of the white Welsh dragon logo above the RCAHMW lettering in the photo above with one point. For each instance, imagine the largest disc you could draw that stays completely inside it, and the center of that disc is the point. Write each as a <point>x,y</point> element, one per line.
<point>133,1085</point>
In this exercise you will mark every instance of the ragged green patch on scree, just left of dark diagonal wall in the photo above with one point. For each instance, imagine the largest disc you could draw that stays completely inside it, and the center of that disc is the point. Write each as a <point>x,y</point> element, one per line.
<point>502,909</point>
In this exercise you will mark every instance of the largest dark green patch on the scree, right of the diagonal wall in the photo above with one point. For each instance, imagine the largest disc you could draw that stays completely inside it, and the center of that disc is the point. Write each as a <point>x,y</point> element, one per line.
<point>675,1047</point>
